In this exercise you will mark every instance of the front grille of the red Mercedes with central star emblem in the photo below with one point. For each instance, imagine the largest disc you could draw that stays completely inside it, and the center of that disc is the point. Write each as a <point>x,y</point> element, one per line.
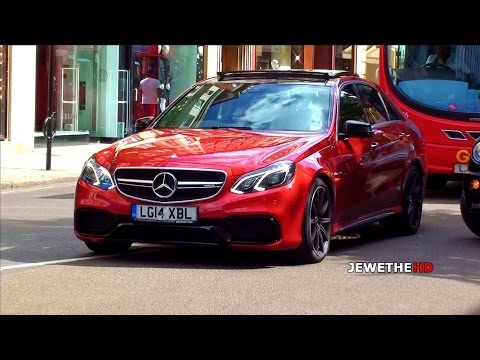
<point>169,185</point>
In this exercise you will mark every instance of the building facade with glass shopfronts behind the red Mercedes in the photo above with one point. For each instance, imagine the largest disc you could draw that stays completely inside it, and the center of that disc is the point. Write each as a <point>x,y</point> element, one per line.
<point>94,90</point>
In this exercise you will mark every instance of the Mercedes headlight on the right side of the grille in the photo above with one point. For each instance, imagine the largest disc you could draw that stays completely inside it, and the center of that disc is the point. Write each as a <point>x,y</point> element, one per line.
<point>272,176</point>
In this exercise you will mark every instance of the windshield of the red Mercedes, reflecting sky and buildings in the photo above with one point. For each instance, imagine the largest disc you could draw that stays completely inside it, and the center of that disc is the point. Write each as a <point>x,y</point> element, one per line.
<point>257,106</point>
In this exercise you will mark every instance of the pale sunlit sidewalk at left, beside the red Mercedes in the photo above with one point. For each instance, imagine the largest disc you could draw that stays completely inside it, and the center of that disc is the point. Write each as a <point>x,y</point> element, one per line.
<point>28,170</point>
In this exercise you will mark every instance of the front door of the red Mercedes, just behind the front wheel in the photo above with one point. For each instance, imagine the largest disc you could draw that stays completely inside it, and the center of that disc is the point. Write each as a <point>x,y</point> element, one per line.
<point>352,167</point>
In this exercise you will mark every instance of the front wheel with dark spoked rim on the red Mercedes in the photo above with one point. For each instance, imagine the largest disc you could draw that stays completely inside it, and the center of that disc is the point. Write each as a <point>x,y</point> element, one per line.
<point>317,224</point>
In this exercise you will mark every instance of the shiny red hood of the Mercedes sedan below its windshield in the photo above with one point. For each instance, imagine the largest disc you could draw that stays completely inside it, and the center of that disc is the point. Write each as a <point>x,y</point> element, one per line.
<point>238,150</point>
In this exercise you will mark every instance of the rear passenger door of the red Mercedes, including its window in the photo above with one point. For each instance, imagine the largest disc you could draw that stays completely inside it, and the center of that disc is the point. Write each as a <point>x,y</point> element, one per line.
<point>387,155</point>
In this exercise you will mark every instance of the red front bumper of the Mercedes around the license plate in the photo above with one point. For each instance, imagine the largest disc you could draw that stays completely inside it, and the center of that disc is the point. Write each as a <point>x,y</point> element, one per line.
<point>263,220</point>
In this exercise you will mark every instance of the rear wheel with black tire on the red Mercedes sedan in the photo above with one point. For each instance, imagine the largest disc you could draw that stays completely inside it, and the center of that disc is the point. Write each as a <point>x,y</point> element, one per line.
<point>408,221</point>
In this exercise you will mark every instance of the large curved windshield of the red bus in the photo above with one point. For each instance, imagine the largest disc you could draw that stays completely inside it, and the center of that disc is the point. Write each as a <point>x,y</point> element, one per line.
<point>444,77</point>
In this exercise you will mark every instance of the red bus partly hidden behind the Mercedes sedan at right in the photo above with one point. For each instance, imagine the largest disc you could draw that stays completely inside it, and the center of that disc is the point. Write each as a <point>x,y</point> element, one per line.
<point>437,87</point>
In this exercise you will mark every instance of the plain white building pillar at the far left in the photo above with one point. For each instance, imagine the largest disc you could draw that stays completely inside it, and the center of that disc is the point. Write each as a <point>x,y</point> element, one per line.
<point>21,97</point>
